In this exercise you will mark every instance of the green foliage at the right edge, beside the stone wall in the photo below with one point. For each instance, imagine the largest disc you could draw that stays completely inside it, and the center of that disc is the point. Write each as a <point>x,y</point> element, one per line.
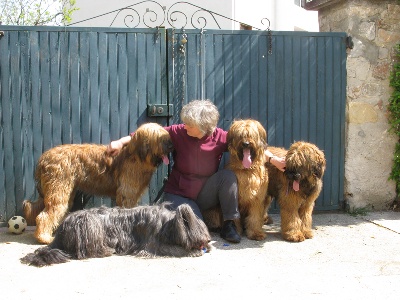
<point>394,117</point>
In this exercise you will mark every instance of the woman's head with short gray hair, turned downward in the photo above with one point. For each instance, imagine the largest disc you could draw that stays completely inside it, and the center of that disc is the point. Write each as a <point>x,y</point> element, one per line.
<point>201,113</point>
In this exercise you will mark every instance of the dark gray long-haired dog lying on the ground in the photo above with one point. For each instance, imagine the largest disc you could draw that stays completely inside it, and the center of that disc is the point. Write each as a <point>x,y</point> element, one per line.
<point>145,231</point>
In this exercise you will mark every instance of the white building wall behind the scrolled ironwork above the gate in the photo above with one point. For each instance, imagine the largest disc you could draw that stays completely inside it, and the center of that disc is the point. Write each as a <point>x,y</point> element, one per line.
<point>284,15</point>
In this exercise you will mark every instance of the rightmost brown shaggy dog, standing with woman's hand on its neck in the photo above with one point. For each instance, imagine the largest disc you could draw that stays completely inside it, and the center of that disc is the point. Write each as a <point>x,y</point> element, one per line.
<point>297,189</point>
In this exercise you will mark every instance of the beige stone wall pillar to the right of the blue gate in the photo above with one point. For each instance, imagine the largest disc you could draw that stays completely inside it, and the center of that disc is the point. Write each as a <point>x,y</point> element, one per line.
<point>375,29</point>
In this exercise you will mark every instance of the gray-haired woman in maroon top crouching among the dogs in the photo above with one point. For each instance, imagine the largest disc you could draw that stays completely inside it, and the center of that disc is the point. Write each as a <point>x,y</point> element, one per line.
<point>195,180</point>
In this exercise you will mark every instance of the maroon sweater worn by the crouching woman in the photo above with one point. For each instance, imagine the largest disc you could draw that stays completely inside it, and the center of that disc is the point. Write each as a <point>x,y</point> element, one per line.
<point>195,160</point>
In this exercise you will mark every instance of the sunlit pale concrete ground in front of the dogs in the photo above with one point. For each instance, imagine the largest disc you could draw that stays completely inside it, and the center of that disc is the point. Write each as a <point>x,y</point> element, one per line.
<point>348,258</point>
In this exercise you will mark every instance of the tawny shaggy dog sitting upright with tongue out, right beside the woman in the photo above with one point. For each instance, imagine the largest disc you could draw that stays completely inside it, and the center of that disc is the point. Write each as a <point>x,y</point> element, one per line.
<point>246,145</point>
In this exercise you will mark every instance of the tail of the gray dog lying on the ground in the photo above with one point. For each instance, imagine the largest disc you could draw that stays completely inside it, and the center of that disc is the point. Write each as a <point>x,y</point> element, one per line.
<point>45,256</point>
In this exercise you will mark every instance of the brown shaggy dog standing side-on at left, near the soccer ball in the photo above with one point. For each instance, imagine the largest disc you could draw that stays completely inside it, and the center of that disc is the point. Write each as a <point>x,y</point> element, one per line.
<point>67,170</point>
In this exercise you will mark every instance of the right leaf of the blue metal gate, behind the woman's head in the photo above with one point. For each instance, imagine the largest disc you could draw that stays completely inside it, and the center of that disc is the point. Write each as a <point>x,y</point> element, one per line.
<point>294,83</point>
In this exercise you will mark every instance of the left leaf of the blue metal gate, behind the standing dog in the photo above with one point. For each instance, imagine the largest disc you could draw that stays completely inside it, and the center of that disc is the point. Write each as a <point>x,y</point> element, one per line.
<point>73,85</point>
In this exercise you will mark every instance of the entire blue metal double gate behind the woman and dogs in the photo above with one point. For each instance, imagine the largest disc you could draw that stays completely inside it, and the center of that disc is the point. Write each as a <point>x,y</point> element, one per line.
<point>93,85</point>
